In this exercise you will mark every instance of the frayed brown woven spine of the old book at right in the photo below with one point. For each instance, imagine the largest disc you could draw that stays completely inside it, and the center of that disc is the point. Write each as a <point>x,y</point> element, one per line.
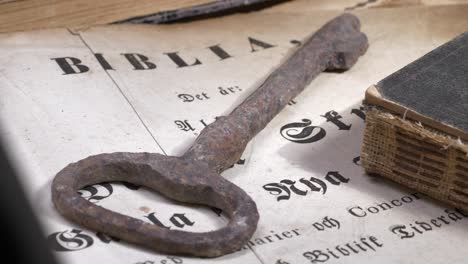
<point>419,157</point>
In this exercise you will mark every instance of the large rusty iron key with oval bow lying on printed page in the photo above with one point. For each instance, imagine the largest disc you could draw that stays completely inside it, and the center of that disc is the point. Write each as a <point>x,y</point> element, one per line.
<point>195,176</point>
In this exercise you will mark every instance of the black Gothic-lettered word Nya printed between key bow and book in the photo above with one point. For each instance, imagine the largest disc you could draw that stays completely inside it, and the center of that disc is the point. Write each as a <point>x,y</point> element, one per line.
<point>283,189</point>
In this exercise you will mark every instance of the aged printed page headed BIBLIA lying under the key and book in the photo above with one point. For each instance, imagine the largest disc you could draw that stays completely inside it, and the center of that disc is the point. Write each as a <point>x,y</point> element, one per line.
<point>145,88</point>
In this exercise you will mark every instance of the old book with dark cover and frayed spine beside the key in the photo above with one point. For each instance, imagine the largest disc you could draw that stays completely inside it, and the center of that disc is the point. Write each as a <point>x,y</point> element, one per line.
<point>417,125</point>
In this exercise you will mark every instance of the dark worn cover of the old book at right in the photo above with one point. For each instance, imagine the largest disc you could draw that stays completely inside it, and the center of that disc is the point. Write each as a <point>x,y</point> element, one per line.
<point>432,89</point>
